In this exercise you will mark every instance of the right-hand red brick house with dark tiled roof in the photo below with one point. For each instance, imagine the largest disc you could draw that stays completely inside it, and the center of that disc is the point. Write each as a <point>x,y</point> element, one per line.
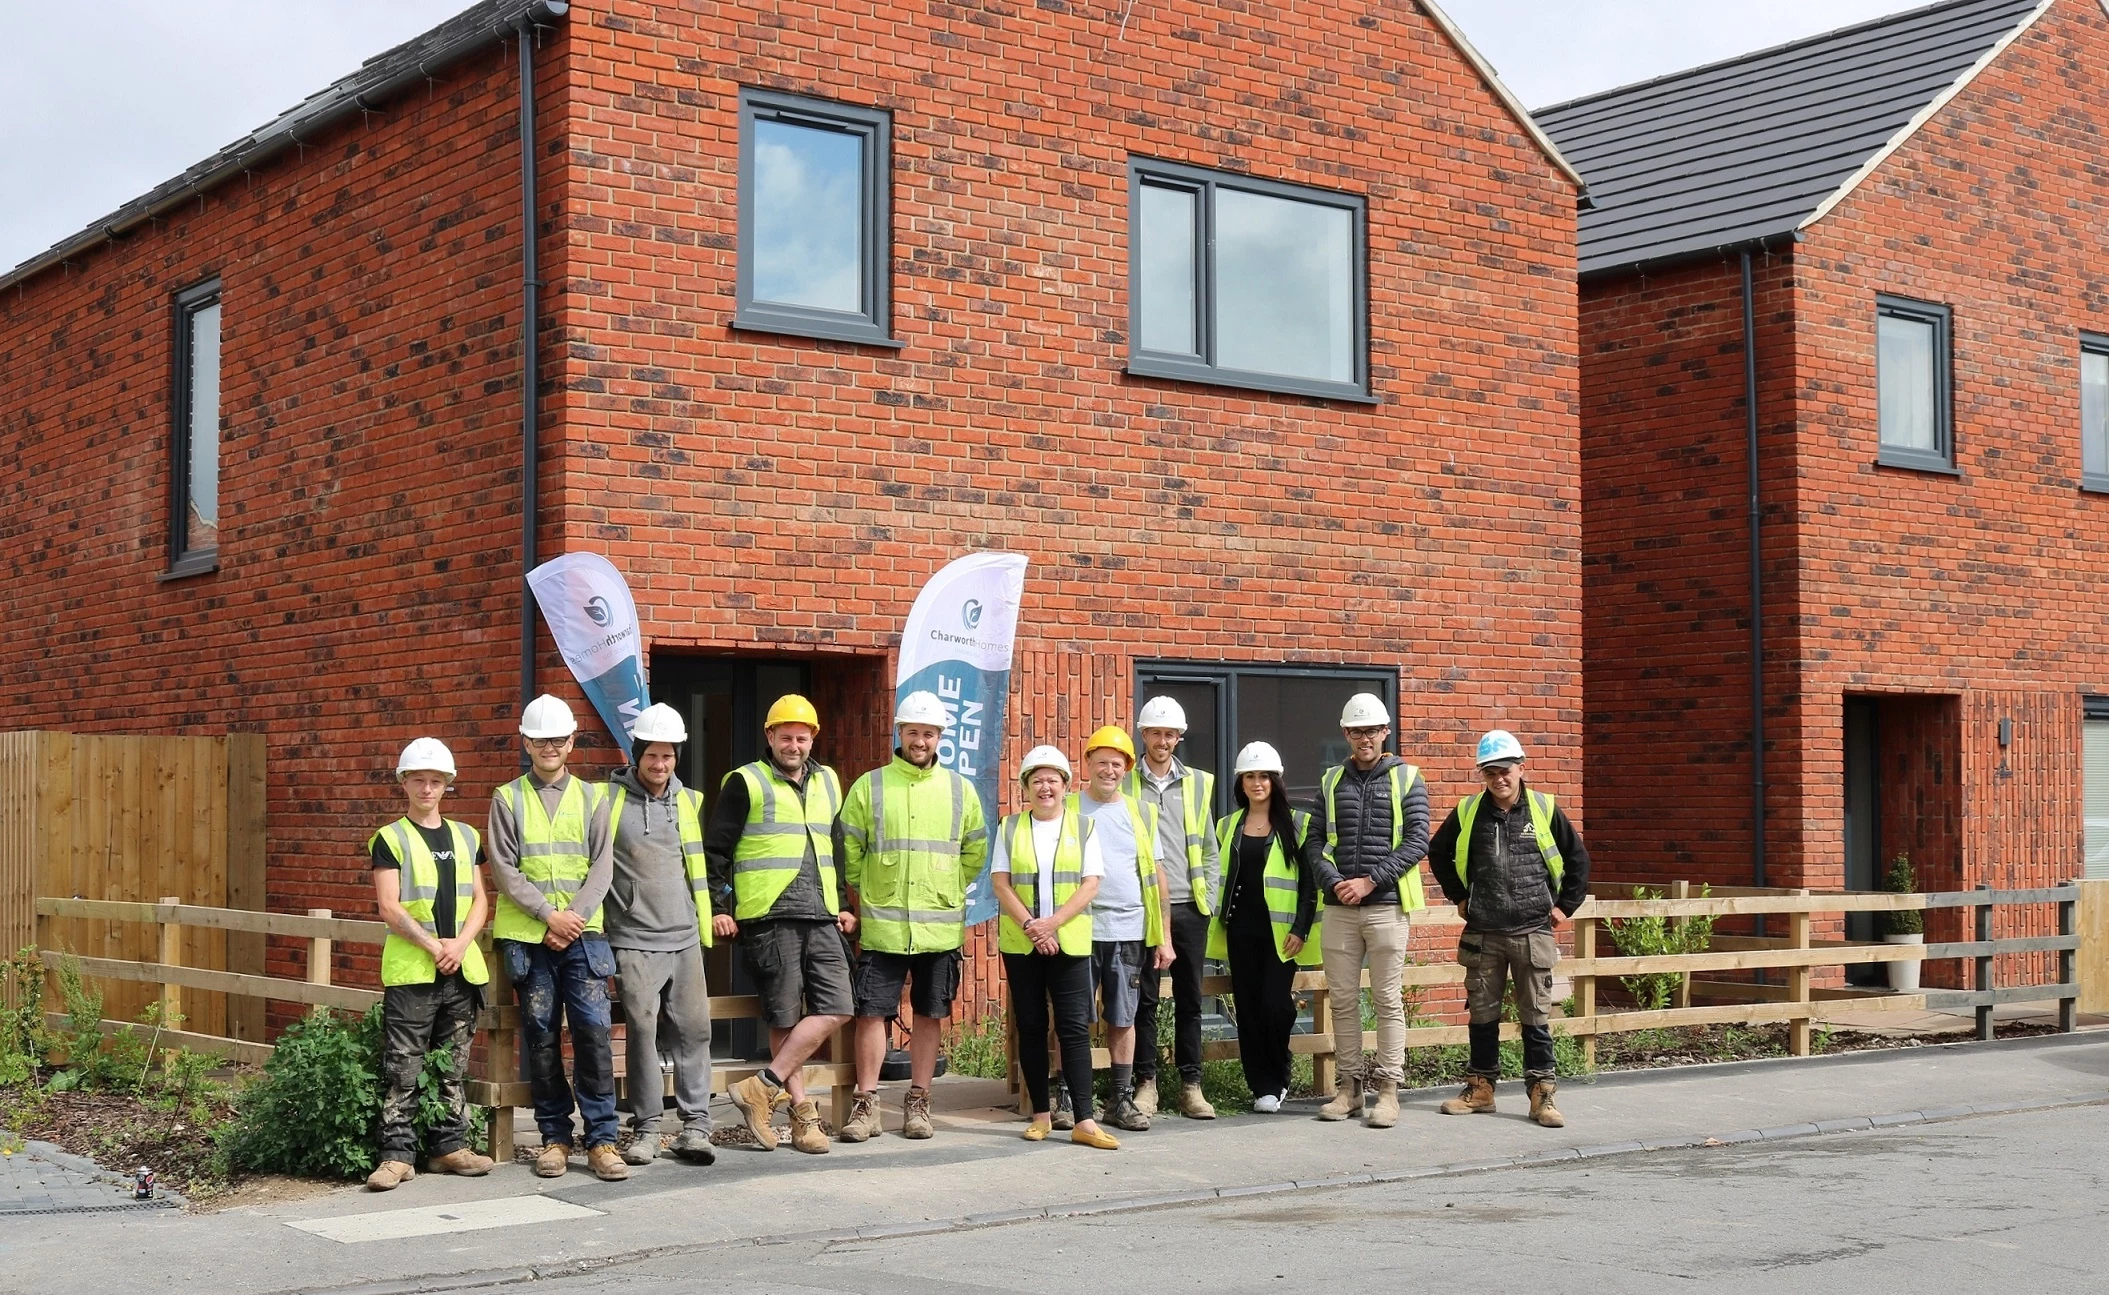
<point>1922,440</point>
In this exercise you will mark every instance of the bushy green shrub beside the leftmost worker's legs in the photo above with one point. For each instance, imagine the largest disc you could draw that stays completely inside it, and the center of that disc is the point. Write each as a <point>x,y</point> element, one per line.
<point>317,1108</point>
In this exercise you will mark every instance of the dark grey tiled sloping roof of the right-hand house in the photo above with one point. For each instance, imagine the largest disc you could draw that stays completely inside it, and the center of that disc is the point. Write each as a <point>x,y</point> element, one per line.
<point>1764,144</point>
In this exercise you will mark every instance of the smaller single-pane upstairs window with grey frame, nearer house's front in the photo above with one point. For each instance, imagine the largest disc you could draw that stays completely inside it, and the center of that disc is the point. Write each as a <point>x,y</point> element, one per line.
<point>815,220</point>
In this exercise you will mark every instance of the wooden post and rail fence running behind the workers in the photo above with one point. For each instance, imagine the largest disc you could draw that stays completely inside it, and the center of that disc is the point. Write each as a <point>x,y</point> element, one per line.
<point>2081,946</point>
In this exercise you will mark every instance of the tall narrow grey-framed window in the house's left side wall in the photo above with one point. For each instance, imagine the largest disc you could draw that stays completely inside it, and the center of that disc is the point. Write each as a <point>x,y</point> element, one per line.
<point>195,444</point>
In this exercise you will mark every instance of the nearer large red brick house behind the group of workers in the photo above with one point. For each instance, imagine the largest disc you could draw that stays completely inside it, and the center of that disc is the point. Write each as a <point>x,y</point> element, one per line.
<point>1254,330</point>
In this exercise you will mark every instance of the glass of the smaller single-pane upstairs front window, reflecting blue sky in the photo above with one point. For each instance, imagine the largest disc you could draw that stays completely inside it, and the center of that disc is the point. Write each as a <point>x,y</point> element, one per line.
<point>809,218</point>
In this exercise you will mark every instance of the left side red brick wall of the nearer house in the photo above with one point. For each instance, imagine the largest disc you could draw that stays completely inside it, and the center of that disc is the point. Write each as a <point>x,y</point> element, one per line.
<point>370,478</point>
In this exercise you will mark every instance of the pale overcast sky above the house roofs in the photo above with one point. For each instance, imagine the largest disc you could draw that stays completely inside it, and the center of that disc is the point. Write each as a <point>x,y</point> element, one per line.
<point>109,98</point>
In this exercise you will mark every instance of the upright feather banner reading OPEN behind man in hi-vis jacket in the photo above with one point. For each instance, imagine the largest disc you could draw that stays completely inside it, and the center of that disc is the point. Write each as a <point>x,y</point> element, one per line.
<point>959,646</point>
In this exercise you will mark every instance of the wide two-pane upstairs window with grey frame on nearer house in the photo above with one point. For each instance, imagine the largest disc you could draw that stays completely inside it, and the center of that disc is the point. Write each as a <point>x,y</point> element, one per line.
<point>1245,282</point>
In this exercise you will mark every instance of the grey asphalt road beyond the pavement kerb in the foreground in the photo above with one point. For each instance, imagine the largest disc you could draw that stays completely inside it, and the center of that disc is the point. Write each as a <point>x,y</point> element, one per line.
<point>2000,1203</point>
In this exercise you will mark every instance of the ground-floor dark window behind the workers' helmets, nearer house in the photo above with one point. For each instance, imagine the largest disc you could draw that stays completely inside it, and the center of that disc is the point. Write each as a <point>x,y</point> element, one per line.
<point>1292,708</point>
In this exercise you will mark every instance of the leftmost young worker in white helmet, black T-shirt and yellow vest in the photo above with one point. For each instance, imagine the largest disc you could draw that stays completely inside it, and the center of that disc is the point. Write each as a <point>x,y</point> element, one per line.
<point>433,975</point>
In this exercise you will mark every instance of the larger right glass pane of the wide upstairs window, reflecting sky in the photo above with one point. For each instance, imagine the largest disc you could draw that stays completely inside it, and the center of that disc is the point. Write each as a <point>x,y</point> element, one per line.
<point>1283,288</point>
